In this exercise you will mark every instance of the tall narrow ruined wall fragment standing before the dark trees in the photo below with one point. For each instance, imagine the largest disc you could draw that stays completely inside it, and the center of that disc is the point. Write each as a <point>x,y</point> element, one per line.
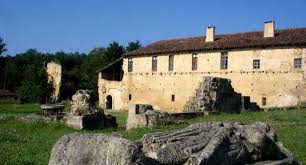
<point>54,71</point>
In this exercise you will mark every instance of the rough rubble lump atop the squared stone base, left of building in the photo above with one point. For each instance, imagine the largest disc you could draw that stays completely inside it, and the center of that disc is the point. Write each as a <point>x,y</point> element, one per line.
<point>82,103</point>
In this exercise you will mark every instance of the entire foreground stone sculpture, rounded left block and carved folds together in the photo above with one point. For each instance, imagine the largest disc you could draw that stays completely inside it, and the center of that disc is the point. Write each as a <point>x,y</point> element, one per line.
<point>201,143</point>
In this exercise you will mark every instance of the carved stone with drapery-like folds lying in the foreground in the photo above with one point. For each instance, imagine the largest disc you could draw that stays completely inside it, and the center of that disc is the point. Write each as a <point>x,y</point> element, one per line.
<point>216,143</point>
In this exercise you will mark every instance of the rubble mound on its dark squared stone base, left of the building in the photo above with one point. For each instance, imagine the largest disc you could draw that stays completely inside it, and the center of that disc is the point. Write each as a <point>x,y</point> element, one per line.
<point>82,113</point>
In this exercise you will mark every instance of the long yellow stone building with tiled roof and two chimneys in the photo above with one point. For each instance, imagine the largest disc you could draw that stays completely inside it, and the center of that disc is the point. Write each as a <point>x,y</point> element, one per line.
<point>266,66</point>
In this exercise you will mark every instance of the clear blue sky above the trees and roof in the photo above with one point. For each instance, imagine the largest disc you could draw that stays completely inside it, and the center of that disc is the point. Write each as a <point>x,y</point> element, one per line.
<point>80,26</point>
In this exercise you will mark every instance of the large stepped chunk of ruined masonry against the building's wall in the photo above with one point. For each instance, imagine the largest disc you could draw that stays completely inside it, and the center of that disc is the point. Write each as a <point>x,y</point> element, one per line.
<point>214,95</point>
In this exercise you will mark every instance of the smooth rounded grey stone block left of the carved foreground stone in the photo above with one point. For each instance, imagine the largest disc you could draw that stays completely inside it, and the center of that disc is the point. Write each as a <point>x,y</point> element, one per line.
<point>80,149</point>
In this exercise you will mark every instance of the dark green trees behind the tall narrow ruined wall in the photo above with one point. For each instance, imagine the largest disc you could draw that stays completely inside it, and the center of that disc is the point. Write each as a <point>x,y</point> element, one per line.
<point>25,73</point>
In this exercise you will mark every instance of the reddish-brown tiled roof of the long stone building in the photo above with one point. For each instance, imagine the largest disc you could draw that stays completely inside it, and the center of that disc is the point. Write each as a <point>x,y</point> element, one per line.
<point>284,37</point>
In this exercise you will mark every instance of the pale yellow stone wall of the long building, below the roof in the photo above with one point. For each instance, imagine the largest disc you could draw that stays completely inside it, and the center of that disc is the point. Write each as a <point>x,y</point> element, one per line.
<point>276,79</point>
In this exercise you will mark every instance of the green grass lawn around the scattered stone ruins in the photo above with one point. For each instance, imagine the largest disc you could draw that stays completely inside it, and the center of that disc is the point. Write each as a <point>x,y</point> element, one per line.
<point>31,142</point>
